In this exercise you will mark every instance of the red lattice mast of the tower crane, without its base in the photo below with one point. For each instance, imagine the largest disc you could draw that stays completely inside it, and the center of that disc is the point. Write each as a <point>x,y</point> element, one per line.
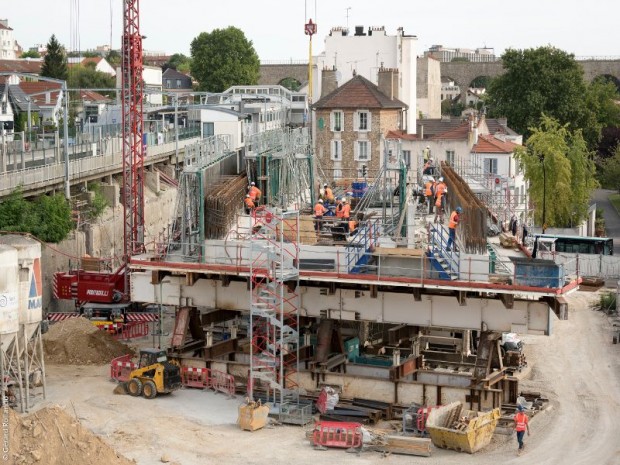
<point>132,94</point>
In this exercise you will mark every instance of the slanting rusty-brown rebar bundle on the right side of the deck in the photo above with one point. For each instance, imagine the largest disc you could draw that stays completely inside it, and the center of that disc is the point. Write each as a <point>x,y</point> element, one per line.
<point>474,218</point>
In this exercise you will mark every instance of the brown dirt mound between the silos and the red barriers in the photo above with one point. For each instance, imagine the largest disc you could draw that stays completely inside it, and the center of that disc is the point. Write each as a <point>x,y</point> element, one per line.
<point>77,341</point>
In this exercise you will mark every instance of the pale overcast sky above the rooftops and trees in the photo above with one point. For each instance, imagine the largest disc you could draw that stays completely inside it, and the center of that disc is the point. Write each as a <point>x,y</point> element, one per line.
<point>276,26</point>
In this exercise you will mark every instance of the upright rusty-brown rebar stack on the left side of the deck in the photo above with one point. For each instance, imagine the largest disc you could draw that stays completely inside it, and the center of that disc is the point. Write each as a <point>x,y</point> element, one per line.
<point>223,200</point>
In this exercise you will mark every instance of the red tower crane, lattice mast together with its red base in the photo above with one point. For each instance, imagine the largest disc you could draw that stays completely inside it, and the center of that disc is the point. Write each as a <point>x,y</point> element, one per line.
<point>95,286</point>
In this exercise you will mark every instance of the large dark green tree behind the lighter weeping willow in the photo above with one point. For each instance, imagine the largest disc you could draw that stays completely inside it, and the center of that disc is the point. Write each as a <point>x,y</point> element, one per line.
<point>540,81</point>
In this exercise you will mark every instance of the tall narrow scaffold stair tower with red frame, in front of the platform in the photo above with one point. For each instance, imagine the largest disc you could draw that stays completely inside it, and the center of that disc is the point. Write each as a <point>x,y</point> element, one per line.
<point>274,307</point>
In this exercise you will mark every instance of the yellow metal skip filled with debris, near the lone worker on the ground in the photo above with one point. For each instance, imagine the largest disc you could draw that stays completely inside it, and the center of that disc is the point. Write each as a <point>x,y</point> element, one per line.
<point>452,427</point>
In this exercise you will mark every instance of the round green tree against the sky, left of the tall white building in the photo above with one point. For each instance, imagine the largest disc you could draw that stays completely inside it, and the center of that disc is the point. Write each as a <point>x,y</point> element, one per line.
<point>223,58</point>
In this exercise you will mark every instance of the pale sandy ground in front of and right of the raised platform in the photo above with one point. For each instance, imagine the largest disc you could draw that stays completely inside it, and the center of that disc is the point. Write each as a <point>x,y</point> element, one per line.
<point>577,367</point>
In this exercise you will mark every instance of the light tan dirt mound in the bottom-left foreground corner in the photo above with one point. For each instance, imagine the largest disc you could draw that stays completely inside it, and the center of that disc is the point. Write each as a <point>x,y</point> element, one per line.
<point>52,437</point>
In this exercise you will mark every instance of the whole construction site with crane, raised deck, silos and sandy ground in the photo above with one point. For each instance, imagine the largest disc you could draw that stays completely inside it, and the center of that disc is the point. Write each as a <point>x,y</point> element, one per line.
<point>297,336</point>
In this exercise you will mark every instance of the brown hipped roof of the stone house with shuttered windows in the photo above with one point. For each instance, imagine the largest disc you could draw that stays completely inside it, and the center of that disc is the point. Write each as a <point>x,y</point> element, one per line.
<point>358,92</point>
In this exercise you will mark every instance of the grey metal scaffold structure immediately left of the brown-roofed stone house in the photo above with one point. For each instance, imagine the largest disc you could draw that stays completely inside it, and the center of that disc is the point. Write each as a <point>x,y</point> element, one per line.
<point>280,163</point>
